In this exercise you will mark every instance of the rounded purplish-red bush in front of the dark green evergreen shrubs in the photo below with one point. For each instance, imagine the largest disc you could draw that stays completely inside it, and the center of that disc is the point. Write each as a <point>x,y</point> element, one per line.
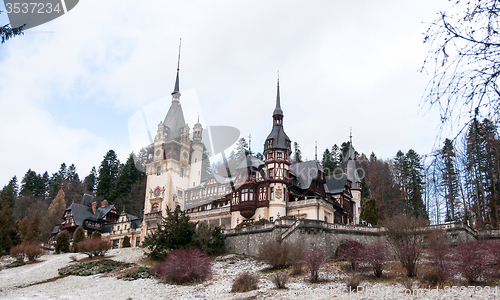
<point>184,266</point>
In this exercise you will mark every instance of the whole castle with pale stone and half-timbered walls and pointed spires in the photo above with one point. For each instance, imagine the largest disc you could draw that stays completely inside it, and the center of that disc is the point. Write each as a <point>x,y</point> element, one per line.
<point>271,189</point>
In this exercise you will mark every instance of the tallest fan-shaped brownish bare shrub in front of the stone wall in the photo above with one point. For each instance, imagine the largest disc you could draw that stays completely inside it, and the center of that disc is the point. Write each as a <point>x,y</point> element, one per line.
<point>407,237</point>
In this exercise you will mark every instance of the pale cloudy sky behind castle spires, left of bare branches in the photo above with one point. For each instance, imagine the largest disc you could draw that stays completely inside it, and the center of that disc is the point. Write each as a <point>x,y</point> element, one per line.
<point>69,89</point>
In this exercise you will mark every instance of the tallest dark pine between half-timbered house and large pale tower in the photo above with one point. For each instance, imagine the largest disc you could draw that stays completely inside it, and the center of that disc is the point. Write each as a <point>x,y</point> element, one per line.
<point>108,172</point>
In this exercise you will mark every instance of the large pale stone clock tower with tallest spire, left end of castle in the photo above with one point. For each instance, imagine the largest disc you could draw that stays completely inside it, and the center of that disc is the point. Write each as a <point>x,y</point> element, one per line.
<point>173,163</point>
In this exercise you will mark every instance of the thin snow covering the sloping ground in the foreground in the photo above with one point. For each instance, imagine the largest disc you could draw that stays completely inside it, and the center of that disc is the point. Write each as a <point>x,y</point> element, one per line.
<point>30,282</point>
